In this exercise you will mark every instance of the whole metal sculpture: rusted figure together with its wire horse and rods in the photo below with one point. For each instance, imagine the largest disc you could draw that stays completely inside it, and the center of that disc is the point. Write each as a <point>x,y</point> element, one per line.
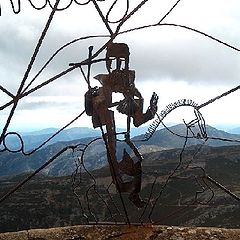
<point>98,105</point>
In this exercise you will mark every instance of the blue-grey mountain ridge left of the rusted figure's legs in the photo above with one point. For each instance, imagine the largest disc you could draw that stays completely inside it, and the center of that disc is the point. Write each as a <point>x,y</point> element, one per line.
<point>17,163</point>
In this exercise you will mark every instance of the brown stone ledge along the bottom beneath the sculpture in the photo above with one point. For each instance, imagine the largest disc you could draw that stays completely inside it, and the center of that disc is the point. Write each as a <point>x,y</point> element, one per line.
<point>124,232</point>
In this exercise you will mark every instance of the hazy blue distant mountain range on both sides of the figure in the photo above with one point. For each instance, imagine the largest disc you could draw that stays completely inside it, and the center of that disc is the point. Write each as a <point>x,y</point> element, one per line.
<point>95,155</point>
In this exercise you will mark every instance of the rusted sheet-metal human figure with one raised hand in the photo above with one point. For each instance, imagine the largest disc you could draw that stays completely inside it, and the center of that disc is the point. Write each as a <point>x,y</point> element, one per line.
<point>98,102</point>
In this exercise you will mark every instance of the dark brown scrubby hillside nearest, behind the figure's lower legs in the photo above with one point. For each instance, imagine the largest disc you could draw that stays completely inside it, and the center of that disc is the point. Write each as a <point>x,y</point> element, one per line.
<point>182,197</point>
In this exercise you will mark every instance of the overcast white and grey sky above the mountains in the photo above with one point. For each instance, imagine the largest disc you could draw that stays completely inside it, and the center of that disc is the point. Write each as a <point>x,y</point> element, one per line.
<point>174,62</point>
